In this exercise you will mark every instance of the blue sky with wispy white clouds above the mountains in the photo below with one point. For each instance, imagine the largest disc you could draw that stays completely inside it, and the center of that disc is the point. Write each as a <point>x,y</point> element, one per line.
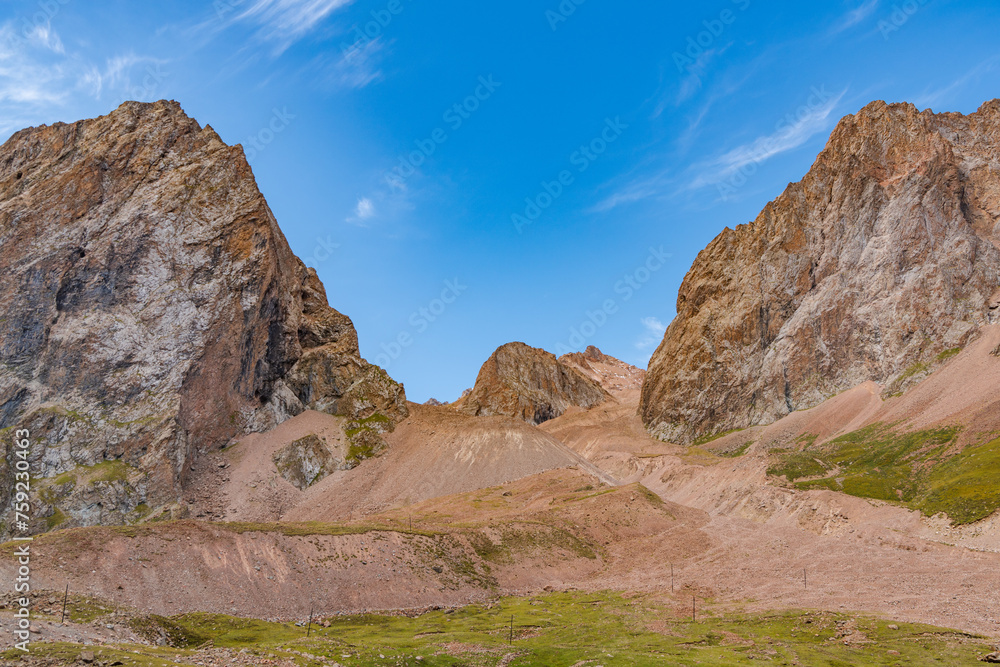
<point>463,175</point>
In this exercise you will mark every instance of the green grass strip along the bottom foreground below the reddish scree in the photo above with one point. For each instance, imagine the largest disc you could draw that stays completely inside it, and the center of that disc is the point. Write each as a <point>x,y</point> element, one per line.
<point>557,630</point>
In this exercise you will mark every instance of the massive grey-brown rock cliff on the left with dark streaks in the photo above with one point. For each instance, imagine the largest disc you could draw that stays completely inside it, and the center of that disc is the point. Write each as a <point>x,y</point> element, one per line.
<point>152,309</point>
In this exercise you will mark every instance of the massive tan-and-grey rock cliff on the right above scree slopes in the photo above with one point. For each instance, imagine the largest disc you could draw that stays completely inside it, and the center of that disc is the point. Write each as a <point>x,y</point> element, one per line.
<point>883,256</point>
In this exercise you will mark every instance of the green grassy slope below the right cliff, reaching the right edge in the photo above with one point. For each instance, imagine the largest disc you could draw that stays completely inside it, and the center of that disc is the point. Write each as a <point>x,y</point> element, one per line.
<point>917,469</point>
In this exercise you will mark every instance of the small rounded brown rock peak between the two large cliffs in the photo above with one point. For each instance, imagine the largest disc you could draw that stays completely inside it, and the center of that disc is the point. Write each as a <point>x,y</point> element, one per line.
<point>529,384</point>
